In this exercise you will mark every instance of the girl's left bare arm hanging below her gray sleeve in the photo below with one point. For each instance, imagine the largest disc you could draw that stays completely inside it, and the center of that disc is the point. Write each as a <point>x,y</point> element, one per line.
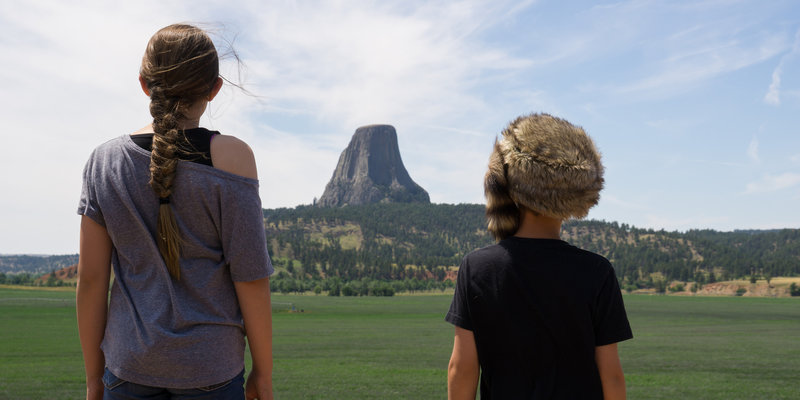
<point>94,270</point>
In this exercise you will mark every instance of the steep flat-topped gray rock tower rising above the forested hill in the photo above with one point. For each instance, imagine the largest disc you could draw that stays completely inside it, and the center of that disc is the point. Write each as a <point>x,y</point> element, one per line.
<point>370,170</point>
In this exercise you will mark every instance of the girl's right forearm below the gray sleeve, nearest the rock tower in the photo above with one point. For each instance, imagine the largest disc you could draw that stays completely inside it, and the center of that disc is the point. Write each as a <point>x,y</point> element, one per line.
<point>254,300</point>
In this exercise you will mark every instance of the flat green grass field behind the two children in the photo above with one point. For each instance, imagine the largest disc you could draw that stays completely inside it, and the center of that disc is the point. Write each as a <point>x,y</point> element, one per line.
<point>398,347</point>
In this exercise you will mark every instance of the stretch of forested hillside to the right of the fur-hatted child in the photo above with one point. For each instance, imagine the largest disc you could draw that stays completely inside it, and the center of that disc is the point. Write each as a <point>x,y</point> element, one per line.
<point>702,256</point>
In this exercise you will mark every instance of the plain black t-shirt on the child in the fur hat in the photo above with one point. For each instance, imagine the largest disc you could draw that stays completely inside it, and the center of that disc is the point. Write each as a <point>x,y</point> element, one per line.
<point>538,308</point>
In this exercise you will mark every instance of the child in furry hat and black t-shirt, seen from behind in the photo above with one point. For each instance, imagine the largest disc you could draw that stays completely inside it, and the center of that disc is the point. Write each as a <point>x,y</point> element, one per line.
<point>534,317</point>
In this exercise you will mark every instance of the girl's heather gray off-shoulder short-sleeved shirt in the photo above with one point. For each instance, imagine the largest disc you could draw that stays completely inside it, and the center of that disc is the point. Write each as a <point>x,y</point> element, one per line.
<point>164,332</point>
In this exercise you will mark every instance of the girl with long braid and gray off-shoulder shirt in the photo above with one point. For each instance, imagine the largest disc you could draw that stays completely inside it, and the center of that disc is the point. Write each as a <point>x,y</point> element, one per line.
<point>174,210</point>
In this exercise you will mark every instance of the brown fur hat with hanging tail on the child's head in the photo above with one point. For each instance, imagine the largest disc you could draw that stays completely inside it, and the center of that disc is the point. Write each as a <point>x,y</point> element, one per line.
<point>545,164</point>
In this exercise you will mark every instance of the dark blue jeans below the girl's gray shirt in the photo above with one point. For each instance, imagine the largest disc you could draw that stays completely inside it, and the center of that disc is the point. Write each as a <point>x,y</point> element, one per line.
<point>118,389</point>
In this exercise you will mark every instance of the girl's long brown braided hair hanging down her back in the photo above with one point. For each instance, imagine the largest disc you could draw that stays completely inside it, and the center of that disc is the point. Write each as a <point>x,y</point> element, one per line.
<point>179,67</point>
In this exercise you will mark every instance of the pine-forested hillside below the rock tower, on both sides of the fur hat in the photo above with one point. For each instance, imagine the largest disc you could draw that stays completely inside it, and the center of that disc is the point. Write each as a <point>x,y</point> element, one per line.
<point>424,241</point>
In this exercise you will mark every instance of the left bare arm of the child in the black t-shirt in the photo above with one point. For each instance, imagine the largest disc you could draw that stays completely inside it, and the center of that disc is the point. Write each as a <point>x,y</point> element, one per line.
<point>464,370</point>
